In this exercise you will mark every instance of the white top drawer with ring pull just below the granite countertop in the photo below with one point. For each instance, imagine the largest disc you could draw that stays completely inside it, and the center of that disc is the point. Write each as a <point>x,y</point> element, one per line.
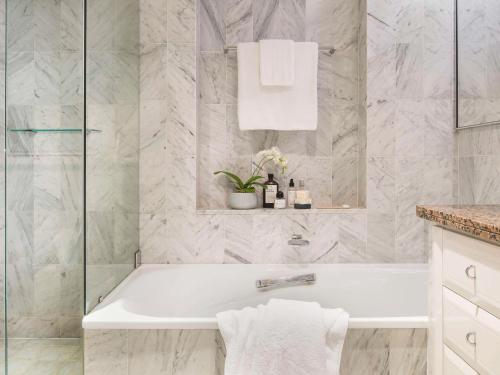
<point>472,268</point>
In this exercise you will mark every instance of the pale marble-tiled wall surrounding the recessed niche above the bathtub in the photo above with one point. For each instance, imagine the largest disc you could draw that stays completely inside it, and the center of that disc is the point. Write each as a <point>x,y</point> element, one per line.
<point>411,156</point>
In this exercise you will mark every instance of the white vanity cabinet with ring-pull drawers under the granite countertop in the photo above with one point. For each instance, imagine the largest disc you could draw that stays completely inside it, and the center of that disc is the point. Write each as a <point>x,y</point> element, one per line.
<point>466,277</point>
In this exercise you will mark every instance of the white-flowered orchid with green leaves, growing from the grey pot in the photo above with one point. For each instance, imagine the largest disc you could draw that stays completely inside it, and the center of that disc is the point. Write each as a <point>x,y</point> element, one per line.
<point>264,157</point>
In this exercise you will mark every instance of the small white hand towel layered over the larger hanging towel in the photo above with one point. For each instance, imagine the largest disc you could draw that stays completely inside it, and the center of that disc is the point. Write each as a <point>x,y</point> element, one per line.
<point>277,62</point>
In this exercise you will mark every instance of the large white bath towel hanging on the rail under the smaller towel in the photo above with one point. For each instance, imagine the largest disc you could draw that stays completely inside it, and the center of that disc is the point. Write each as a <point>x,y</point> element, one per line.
<point>274,107</point>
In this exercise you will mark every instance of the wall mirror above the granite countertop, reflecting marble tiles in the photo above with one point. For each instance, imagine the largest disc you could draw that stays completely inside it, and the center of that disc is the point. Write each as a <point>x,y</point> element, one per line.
<point>477,62</point>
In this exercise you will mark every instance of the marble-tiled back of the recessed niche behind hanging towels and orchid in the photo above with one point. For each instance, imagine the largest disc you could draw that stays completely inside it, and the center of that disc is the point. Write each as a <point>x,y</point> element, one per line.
<point>327,159</point>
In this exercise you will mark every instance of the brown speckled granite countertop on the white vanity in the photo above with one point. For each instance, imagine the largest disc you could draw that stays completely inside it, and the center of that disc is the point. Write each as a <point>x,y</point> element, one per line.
<point>478,221</point>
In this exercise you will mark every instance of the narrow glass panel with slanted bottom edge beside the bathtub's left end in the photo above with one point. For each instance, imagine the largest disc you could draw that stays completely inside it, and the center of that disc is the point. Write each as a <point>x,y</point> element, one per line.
<point>112,152</point>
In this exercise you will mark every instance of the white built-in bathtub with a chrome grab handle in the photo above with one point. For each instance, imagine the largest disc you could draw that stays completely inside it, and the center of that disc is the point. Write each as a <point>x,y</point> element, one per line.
<point>189,296</point>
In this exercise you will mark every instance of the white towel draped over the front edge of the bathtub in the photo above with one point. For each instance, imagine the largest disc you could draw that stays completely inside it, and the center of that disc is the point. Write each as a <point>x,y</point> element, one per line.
<point>283,337</point>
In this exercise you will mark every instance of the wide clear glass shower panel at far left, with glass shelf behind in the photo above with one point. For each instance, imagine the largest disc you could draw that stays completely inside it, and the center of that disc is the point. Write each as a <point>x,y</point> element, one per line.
<point>44,185</point>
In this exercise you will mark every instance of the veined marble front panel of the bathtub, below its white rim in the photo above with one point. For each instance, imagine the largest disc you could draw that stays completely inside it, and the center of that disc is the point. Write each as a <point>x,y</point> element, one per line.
<point>186,352</point>
